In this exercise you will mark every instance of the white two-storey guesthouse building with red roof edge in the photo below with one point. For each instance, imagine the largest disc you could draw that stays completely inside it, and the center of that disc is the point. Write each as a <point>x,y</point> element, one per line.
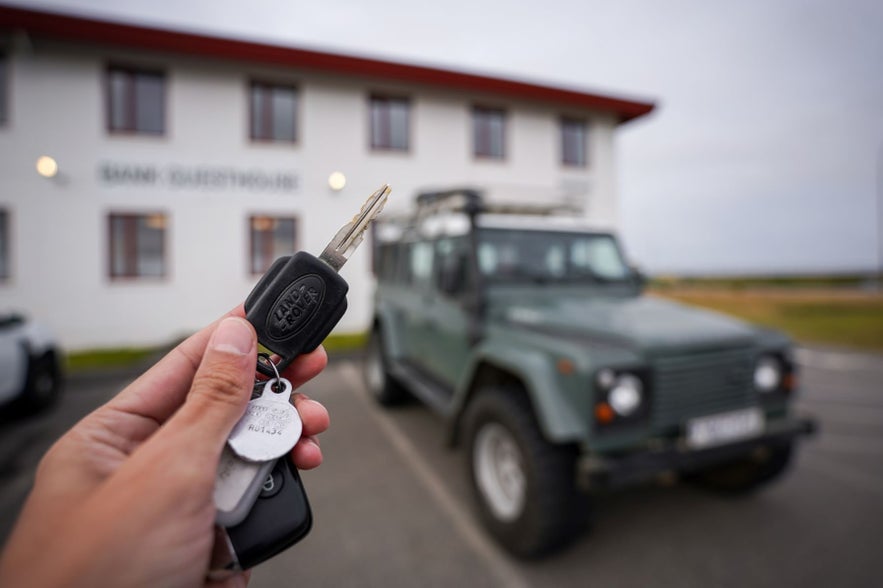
<point>186,163</point>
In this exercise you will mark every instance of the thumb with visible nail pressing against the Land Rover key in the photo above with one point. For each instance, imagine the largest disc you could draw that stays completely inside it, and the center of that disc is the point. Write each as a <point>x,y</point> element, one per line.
<point>221,388</point>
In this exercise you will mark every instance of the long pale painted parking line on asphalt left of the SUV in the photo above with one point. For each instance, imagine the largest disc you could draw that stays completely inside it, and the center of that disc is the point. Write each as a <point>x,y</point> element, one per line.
<point>507,574</point>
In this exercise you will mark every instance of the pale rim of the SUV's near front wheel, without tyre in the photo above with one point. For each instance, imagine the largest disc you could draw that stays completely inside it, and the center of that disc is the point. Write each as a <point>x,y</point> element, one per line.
<point>499,471</point>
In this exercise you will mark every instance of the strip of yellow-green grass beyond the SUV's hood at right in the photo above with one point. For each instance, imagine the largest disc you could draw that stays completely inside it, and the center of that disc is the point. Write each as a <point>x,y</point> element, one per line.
<point>844,317</point>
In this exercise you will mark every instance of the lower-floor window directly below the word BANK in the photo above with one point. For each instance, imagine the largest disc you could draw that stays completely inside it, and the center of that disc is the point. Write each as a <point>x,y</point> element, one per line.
<point>137,245</point>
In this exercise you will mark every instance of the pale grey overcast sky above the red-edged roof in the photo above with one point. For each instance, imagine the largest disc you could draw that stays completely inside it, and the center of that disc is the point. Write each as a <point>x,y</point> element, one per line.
<point>765,152</point>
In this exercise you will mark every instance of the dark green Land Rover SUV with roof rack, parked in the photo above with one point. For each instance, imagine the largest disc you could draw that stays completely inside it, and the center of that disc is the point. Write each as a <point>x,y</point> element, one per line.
<point>530,335</point>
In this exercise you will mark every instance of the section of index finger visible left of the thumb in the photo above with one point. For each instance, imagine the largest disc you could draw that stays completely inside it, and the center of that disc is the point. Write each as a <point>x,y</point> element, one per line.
<point>162,389</point>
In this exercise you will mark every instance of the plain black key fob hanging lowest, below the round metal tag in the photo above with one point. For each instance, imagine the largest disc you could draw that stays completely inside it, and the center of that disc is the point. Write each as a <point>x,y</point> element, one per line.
<point>280,518</point>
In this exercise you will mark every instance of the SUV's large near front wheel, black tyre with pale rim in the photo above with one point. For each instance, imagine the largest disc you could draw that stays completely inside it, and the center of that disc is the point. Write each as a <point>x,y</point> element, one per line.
<point>524,486</point>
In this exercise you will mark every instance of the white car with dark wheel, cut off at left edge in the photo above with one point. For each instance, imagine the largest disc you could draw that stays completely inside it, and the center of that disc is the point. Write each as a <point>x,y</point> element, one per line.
<point>30,365</point>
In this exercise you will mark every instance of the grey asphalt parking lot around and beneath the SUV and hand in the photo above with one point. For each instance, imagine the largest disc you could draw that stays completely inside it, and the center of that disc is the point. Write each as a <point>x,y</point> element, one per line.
<point>391,504</point>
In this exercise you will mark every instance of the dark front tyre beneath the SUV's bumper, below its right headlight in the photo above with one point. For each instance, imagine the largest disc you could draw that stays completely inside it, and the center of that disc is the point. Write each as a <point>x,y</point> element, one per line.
<point>748,474</point>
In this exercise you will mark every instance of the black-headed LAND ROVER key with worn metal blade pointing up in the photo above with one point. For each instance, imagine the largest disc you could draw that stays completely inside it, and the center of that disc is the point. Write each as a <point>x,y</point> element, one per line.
<point>301,298</point>
